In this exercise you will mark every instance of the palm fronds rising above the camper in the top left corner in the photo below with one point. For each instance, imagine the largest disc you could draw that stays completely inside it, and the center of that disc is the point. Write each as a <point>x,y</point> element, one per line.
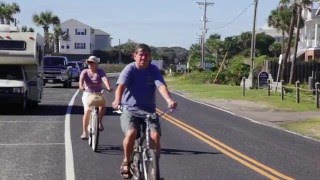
<point>7,11</point>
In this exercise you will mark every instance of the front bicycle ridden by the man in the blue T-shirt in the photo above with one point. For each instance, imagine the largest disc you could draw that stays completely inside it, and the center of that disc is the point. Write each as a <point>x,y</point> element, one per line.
<point>144,163</point>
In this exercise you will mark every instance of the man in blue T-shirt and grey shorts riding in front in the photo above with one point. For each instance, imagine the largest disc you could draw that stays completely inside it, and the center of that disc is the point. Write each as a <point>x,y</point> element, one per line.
<point>136,87</point>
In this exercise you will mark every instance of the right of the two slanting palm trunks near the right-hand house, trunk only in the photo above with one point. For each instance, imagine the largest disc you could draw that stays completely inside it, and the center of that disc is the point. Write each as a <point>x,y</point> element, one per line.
<point>296,41</point>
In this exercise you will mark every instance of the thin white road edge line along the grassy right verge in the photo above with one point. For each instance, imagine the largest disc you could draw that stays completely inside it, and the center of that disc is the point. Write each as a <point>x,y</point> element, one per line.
<point>252,120</point>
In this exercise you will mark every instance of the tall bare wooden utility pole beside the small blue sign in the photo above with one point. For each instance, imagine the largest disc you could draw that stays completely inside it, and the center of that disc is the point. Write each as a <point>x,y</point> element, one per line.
<point>253,44</point>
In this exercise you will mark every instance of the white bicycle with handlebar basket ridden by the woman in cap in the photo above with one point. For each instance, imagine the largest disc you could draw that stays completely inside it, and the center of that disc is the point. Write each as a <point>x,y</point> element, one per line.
<point>96,99</point>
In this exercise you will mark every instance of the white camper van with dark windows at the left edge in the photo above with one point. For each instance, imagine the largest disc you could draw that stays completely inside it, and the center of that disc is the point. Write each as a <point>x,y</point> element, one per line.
<point>21,67</point>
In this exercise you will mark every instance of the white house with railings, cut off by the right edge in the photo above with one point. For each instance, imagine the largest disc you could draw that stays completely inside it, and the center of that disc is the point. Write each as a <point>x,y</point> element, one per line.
<point>309,43</point>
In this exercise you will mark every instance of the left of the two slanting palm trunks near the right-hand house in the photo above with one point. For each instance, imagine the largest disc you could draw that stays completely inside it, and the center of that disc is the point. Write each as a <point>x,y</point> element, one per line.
<point>286,55</point>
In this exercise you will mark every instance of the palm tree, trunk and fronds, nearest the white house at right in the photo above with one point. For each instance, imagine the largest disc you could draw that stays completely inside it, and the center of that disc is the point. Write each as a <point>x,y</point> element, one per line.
<point>299,6</point>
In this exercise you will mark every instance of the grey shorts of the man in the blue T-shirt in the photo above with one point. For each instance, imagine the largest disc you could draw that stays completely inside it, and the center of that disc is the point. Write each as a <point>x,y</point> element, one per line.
<point>128,121</point>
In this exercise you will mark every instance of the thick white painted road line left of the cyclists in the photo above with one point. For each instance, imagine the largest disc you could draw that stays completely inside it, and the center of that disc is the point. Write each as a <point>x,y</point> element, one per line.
<point>68,144</point>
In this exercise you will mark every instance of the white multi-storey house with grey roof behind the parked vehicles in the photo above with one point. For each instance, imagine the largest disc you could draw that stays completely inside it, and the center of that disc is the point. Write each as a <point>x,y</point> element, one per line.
<point>82,39</point>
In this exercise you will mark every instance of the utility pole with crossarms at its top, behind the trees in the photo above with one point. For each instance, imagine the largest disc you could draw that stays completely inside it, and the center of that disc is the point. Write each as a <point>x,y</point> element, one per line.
<point>204,30</point>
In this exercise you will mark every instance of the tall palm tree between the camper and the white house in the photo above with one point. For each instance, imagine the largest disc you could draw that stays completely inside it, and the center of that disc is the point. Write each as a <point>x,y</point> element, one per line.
<point>45,19</point>
